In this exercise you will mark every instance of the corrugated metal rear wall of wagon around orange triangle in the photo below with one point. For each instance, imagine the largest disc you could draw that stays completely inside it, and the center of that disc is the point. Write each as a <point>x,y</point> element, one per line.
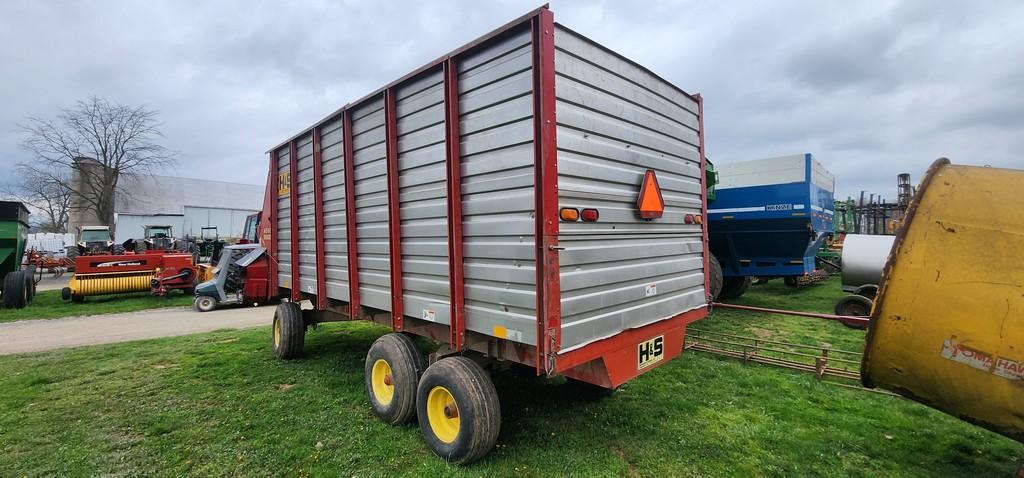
<point>615,122</point>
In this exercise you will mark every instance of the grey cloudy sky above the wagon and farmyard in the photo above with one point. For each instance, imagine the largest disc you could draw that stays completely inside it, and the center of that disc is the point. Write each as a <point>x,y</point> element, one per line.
<point>872,89</point>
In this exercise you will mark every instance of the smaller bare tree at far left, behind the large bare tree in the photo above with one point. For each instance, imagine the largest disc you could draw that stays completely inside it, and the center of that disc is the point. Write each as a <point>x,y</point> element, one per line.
<point>46,196</point>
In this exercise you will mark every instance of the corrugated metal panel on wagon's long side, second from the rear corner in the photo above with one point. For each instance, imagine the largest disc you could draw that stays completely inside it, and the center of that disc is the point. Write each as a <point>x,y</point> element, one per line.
<point>422,192</point>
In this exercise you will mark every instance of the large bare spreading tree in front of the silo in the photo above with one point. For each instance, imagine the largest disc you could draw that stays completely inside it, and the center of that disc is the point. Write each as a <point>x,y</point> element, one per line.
<point>89,148</point>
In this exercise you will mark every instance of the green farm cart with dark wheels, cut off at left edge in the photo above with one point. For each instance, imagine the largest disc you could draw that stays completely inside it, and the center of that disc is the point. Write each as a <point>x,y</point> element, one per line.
<point>17,286</point>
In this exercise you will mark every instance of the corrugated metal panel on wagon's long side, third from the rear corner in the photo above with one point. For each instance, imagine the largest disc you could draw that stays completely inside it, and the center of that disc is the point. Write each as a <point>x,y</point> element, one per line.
<point>371,204</point>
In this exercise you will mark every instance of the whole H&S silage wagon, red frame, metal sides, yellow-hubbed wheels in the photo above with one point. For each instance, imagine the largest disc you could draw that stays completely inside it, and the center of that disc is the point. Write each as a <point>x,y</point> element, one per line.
<point>530,199</point>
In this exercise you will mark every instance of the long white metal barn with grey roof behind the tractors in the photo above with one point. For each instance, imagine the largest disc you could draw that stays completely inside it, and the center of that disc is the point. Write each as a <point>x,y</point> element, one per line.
<point>185,204</point>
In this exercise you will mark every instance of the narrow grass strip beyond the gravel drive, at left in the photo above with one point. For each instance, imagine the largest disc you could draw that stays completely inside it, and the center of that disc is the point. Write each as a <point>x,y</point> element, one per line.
<point>49,305</point>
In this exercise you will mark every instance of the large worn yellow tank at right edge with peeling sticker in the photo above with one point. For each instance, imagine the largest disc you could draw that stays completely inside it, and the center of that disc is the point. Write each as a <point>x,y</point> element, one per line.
<point>948,329</point>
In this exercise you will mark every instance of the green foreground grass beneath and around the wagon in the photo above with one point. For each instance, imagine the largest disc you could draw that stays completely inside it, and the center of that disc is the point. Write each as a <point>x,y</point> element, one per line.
<point>220,405</point>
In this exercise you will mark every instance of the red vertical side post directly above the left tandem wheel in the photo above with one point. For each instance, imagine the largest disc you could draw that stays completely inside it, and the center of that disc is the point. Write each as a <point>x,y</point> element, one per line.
<point>394,206</point>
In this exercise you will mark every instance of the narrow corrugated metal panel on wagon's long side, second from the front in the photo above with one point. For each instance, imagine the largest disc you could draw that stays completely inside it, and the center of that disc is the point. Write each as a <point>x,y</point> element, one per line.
<point>308,214</point>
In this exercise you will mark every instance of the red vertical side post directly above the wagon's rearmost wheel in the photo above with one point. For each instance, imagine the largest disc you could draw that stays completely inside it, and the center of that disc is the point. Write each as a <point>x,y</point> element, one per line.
<point>452,142</point>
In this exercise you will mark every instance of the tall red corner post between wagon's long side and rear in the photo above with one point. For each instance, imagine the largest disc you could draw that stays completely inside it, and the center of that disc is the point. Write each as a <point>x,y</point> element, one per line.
<point>546,192</point>
